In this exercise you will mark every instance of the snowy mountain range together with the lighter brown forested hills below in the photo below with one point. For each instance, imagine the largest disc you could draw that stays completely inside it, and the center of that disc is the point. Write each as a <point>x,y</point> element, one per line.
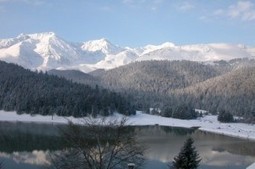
<point>212,77</point>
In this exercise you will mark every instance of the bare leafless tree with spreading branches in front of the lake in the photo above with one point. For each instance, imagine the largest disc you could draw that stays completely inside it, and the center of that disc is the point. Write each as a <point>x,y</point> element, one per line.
<point>99,144</point>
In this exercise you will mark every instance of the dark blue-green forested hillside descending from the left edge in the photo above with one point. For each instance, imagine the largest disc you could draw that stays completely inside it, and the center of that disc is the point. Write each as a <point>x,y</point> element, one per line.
<point>39,93</point>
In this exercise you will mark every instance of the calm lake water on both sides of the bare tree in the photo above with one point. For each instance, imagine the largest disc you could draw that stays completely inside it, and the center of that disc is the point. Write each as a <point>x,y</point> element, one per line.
<point>27,146</point>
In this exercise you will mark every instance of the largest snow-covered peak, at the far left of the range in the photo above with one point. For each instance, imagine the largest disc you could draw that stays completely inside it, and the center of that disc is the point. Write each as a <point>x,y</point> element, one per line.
<point>38,51</point>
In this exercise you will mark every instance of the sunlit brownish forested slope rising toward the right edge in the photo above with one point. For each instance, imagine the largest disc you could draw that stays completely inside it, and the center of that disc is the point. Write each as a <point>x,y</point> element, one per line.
<point>233,91</point>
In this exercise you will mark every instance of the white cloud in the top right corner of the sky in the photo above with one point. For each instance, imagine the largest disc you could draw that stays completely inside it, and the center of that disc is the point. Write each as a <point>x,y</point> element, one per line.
<point>243,10</point>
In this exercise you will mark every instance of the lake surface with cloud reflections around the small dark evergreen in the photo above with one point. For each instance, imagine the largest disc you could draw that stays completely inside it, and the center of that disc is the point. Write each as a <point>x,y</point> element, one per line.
<point>217,151</point>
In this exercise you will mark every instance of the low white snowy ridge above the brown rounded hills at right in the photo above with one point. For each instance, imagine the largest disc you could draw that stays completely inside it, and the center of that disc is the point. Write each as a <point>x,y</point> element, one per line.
<point>201,53</point>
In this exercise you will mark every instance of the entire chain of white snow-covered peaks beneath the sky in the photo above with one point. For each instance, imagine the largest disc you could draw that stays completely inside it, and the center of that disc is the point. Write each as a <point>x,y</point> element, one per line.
<point>44,51</point>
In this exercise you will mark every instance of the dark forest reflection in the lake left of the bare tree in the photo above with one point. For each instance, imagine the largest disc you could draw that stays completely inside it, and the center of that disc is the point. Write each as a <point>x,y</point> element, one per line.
<point>19,137</point>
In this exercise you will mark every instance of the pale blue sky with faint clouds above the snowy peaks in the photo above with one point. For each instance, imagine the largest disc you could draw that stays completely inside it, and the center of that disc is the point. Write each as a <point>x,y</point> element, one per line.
<point>133,23</point>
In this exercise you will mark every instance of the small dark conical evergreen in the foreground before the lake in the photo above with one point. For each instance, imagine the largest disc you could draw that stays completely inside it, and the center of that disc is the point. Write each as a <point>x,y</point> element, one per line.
<point>188,158</point>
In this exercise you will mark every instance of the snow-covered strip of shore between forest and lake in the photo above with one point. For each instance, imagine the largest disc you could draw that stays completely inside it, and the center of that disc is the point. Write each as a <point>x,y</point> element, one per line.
<point>207,123</point>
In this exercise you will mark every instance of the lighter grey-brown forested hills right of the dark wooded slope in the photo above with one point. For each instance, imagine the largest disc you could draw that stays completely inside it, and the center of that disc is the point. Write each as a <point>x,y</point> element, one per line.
<point>222,85</point>
